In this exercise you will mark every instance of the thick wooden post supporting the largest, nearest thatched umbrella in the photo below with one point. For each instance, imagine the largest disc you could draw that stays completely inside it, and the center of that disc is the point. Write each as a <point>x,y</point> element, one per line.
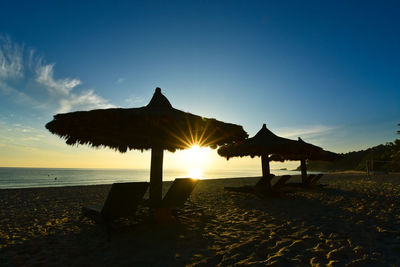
<point>156,176</point>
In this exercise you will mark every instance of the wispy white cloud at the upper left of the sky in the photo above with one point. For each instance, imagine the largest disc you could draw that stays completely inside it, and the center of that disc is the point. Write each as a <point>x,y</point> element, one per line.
<point>26,78</point>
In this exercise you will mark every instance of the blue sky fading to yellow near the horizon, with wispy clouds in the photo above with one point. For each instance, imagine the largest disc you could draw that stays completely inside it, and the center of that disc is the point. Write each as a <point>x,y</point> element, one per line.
<point>325,71</point>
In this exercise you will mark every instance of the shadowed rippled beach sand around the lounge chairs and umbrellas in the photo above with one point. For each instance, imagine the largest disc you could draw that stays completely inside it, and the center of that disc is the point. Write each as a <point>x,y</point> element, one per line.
<point>354,221</point>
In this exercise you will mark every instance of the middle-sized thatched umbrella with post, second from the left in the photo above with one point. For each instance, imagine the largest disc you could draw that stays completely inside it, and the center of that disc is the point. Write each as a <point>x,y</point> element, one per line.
<point>262,144</point>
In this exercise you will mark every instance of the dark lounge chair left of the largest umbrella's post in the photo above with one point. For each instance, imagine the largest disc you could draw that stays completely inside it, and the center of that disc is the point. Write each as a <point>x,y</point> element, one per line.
<point>121,202</point>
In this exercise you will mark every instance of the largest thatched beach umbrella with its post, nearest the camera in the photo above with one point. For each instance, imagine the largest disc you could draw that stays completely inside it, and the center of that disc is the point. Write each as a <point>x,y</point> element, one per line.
<point>157,126</point>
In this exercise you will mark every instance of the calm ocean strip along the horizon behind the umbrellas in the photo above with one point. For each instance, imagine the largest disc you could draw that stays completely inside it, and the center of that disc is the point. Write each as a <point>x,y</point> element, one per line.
<point>51,177</point>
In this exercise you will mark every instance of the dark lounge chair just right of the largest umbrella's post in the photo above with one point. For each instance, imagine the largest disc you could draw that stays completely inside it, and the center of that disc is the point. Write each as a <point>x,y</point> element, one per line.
<point>173,203</point>
